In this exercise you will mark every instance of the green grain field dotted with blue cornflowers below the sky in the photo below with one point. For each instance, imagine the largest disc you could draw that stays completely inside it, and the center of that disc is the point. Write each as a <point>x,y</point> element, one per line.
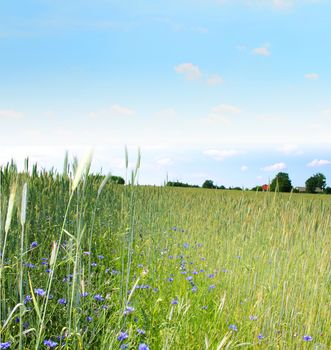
<point>86,264</point>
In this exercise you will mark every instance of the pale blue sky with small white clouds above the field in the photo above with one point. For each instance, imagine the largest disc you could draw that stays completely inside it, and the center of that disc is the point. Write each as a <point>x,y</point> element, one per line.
<point>228,90</point>
